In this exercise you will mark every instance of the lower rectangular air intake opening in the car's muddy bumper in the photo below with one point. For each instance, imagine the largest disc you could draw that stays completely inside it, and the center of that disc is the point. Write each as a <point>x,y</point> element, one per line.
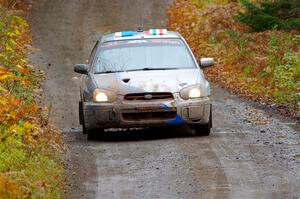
<point>142,116</point>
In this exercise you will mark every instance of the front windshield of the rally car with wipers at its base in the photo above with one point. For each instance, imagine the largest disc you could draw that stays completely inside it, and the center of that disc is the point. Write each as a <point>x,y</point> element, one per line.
<point>147,54</point>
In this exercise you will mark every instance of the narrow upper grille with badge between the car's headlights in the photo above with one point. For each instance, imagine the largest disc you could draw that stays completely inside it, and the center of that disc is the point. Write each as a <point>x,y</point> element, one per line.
<point>149,96</point>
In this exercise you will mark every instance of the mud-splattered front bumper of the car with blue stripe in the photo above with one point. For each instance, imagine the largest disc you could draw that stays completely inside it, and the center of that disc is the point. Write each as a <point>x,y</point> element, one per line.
<point>145,113</point>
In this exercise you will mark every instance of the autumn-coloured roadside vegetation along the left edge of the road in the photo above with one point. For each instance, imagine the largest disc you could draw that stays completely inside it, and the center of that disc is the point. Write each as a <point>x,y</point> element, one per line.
<point>31,150</point>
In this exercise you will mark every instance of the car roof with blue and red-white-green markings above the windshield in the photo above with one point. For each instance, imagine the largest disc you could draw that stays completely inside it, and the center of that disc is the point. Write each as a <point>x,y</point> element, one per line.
<point>151,34</point>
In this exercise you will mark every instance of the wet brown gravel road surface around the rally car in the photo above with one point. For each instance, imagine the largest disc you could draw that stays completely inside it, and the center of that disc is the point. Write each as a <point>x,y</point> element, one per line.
<point>251,153</point>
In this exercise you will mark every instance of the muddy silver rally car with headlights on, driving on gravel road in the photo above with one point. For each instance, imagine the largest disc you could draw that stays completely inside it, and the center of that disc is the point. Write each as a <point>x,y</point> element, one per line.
<point>144,78</point>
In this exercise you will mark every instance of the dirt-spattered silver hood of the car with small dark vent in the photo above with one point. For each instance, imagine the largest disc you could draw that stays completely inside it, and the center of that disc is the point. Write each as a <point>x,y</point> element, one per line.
<point>150,81</point>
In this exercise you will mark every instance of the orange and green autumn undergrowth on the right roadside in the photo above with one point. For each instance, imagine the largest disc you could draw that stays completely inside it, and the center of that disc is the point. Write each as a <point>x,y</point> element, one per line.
<point>262,66</point>
